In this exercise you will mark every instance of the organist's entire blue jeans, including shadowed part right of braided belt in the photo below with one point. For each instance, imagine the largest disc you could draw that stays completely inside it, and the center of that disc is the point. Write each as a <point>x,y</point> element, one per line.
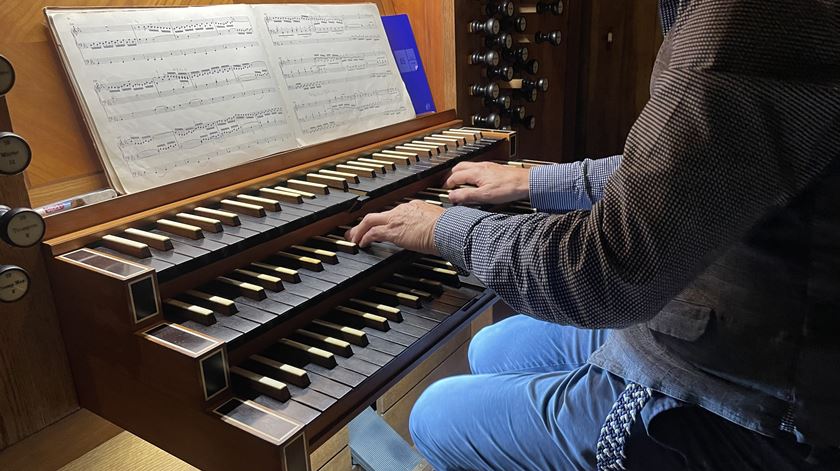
<point>533,402</point>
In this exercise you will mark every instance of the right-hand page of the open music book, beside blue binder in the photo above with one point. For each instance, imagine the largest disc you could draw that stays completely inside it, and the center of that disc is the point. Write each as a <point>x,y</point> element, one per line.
<point>336,68</point>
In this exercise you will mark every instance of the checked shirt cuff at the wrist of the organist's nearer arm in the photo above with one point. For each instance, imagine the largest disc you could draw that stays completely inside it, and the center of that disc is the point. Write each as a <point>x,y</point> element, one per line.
<point>452,230</point>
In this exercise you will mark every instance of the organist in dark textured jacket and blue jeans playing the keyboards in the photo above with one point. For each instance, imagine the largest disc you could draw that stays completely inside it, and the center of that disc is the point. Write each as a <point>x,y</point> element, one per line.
<point>710,253</point>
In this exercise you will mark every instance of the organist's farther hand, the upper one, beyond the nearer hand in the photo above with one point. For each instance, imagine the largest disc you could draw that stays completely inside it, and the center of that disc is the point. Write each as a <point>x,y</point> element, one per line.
<point>495,183</point>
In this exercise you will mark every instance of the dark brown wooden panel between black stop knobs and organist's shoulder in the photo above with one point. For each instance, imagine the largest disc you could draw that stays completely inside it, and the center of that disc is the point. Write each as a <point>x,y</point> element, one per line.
<point>617,56</point>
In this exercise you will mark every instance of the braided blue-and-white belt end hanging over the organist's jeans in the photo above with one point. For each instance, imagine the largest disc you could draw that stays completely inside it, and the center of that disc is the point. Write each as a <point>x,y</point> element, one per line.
<point>616,429</point>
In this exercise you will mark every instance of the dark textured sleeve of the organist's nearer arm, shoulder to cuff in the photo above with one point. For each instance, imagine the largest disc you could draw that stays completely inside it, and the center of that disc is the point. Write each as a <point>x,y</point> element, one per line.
<point>737,126</point>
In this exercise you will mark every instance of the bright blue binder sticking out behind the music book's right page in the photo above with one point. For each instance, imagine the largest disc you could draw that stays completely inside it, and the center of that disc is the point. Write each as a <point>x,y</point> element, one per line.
<point>401,37</point>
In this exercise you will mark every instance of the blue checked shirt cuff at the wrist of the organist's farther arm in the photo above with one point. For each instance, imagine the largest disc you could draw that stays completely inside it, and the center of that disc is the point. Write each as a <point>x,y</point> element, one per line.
<point>555,188</point>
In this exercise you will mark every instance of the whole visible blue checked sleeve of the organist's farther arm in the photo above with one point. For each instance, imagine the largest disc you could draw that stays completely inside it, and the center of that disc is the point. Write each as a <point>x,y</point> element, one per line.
<point>566,187</point>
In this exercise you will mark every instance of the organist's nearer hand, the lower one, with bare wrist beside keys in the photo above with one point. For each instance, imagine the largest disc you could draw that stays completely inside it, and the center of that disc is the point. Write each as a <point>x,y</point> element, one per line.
<point>409,225</point>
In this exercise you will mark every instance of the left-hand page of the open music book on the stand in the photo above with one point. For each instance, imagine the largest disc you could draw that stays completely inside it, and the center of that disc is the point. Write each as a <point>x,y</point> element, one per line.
<point>174,92</point>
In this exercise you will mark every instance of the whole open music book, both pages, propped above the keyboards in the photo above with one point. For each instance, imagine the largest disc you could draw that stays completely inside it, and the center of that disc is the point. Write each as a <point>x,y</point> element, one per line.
<point>171,93</point>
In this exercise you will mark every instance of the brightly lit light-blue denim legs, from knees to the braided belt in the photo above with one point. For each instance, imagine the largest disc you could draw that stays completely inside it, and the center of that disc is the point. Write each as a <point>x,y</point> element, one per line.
<point>528,407</point>
